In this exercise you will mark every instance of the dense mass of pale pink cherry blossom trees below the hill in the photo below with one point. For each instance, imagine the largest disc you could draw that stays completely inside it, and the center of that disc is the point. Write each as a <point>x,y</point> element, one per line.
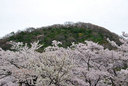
<point>82,64</point>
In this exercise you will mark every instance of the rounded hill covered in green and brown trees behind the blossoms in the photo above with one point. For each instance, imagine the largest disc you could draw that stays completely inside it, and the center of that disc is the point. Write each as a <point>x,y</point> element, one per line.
<point>65,33</point>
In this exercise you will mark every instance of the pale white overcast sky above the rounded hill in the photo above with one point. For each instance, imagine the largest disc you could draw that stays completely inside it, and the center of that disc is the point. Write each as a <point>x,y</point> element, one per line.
<point>20,14</point>
